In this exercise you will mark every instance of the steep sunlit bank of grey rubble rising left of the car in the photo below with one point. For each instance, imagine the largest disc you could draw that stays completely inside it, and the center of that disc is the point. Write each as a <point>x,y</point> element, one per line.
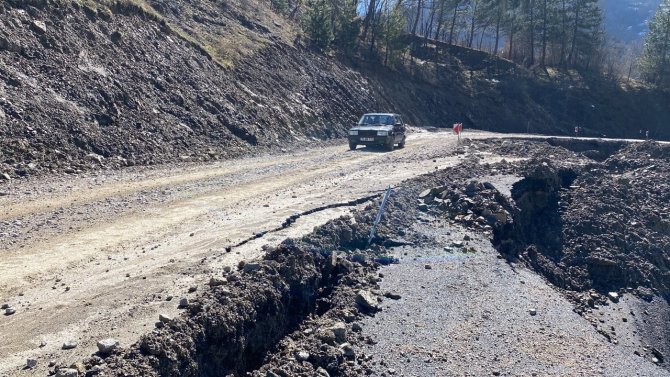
<point>79,82</point>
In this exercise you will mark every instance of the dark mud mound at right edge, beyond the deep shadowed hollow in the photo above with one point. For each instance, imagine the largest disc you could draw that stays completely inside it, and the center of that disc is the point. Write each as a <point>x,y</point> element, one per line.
<point>617,223</point>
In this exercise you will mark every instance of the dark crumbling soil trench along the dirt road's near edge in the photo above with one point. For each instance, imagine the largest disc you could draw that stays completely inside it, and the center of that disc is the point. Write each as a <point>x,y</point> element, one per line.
<point>231,327</point>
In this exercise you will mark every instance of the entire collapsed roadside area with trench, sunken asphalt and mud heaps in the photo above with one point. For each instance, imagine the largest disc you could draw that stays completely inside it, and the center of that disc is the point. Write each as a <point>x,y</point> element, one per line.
<point>480,288</point>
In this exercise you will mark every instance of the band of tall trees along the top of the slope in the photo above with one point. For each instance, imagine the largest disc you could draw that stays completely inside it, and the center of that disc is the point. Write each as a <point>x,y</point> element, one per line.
<point>565,34</point>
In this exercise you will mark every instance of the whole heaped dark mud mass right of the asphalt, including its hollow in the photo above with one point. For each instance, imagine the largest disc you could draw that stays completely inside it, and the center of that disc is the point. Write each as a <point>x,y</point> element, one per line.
<point>583,224</point>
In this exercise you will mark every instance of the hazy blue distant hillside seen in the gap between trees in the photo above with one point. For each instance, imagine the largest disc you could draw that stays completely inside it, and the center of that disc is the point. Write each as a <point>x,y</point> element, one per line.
<point>626,20</point>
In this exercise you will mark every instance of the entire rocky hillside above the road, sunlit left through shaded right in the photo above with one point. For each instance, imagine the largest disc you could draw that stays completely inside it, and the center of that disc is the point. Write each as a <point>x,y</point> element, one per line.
<point>100,83</point>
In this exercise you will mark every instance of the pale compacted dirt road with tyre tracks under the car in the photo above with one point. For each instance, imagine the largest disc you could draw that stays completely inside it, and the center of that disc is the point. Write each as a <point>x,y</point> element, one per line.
<point>102,254</point>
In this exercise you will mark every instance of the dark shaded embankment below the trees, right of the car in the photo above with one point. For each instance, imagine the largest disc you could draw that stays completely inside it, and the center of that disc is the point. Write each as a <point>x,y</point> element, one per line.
<point>495,94</point>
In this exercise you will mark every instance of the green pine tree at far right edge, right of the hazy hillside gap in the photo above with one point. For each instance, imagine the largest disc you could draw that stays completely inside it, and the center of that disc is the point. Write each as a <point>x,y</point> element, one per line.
<point>655,61</point>
